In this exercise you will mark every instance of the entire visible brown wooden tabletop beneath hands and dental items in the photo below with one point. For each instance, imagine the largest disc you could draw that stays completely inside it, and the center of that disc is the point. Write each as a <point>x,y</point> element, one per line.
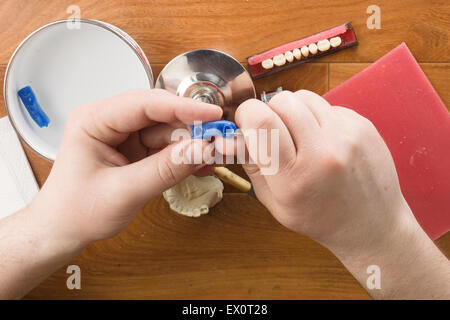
<point>237,251</point>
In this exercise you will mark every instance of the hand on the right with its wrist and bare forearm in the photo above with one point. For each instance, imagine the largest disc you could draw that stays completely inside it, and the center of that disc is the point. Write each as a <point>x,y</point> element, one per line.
<point>337,184</point>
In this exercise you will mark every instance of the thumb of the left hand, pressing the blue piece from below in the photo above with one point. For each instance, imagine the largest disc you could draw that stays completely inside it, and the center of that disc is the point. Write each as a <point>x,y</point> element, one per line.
<point>152,175</point>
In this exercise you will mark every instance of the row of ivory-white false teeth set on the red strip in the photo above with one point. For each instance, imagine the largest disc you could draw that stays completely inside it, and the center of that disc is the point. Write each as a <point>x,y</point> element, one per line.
<point>313,48</point>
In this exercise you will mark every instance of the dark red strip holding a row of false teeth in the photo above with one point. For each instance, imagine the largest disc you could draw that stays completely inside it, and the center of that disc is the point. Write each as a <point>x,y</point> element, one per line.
<point>303,50</point>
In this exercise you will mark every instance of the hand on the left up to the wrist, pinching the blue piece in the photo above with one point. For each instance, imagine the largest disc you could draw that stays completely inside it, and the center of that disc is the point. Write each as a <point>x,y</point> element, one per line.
<point>114,157</point>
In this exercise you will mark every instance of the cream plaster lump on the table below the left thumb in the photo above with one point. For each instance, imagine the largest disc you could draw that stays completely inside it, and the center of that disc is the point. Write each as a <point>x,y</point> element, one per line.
<point>194,195</point>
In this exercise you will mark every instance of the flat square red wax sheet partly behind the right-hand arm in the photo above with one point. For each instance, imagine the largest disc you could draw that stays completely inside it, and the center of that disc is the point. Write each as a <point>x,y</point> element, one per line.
<point>396,96</point>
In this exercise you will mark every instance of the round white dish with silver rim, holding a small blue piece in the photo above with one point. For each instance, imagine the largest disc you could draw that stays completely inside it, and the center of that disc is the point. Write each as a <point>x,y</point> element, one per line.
<point>67,68</point>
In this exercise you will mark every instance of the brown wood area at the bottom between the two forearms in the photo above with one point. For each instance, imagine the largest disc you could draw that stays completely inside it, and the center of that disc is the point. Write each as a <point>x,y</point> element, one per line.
<point>229,254</point>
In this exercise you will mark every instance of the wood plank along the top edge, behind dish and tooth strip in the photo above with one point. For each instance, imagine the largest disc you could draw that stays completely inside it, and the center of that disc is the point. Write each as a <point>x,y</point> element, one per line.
<point>243,28</point>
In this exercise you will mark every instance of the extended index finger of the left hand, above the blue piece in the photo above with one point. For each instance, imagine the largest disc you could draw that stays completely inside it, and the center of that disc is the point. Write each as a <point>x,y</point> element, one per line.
<point>112,119</point>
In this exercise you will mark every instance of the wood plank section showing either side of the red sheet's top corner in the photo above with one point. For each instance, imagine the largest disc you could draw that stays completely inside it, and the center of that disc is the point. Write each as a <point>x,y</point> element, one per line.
<point>437,73</point>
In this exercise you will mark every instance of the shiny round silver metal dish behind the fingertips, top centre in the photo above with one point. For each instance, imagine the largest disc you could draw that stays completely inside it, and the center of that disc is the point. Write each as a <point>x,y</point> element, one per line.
<point>208,75</point>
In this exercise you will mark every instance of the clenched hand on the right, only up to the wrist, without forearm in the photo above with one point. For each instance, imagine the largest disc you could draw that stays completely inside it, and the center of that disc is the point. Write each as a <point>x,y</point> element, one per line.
<point>336,182</point>
